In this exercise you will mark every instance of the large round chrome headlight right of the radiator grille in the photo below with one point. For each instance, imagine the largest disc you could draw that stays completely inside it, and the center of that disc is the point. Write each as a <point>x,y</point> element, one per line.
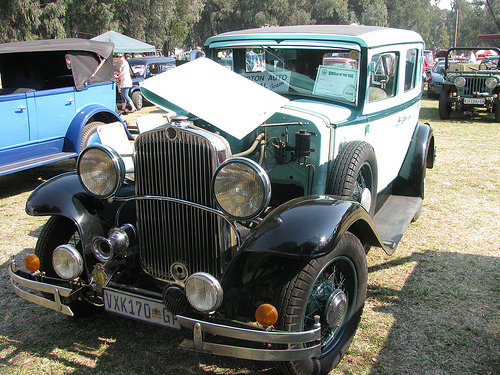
<point>241,188</point>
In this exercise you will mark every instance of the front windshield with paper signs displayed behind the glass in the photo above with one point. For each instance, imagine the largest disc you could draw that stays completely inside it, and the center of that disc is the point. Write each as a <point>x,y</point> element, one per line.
<point>329,73</point>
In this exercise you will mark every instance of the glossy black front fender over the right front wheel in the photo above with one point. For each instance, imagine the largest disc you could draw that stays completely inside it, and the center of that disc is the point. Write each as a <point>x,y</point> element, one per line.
<point>292,234</point>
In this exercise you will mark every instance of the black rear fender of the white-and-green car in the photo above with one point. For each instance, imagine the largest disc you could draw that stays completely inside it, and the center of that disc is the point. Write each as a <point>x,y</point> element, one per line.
<point>420,156</point>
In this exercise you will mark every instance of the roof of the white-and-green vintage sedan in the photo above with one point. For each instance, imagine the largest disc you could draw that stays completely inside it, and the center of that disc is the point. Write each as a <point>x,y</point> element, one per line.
<point>365,36</point>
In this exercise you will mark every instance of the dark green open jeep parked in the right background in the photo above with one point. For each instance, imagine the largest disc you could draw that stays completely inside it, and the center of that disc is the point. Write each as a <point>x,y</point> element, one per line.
<point>470,84</point>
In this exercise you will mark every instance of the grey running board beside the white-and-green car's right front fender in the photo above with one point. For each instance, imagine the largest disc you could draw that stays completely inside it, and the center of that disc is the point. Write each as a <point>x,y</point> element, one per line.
<point>394,217</point>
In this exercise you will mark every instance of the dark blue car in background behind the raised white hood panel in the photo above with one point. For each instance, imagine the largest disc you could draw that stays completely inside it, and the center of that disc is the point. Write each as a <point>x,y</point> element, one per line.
<point>143,68</point>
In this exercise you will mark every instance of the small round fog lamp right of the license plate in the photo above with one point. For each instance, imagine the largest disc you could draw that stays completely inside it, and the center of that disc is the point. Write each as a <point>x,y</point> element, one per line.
<point>204,292</point>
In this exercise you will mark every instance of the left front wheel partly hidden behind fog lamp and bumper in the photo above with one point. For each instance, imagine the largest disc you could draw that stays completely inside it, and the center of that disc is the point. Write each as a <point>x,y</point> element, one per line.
<point>60,231</point>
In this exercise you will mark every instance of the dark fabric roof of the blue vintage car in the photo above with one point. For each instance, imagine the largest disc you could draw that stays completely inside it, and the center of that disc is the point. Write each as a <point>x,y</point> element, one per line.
<point>104,49</point>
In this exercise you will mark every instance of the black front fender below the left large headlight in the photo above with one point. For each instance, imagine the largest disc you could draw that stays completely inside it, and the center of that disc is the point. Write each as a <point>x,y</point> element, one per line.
<point>64,195</point>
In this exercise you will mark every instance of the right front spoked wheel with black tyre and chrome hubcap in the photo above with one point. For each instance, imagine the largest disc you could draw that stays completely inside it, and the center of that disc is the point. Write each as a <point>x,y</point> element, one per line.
<point>332,287</point>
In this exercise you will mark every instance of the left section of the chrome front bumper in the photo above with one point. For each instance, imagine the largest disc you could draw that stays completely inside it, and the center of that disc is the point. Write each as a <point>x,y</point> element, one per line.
<point>58,292</point>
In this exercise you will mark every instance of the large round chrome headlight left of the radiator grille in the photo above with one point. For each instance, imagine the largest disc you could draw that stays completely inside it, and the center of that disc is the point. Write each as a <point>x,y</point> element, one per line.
<point>100,170</point>
